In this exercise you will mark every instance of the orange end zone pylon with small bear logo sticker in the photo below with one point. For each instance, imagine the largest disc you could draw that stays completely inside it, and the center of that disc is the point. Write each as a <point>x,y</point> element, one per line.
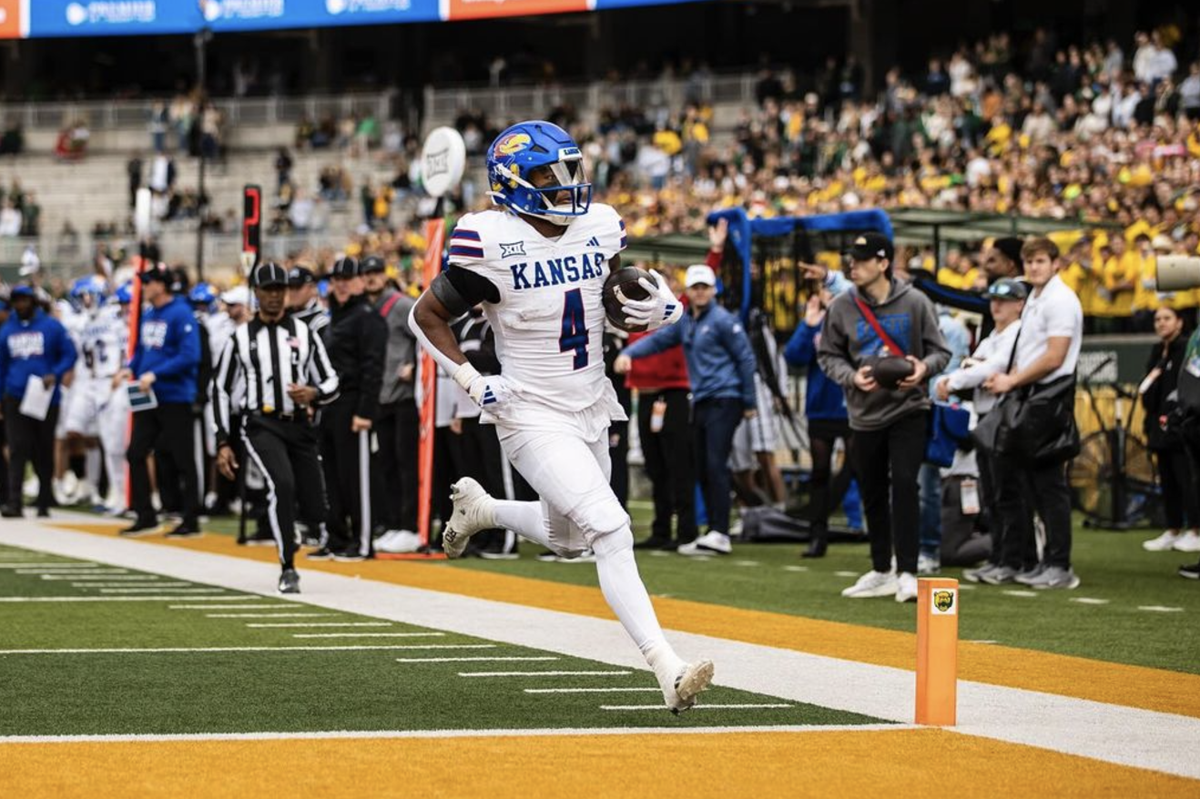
<point>938,652</point>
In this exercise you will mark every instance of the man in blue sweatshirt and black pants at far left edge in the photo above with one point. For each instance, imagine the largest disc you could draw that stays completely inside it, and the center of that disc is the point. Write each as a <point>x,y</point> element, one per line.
<point>33,346</point>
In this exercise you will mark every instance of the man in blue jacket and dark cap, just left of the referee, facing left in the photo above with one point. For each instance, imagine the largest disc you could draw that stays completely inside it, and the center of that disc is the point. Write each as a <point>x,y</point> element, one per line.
<point>166,362</point>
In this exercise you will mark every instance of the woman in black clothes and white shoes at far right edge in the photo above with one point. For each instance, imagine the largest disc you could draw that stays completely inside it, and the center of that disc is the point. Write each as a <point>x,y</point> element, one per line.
<point>1180,500</point>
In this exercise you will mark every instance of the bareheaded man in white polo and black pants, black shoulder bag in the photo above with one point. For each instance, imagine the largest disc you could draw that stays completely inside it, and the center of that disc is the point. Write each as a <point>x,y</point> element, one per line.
<point>1047,355</point>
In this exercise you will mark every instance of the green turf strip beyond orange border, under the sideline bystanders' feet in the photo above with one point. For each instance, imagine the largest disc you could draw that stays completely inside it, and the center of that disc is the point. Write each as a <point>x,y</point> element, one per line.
<point>1119,581</point>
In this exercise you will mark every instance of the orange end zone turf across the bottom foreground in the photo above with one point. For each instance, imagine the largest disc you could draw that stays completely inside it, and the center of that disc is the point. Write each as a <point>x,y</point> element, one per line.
<point>933,762</point>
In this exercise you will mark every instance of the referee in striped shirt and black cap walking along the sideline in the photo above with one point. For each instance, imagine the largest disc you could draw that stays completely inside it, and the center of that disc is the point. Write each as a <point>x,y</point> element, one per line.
<point>280,371</point>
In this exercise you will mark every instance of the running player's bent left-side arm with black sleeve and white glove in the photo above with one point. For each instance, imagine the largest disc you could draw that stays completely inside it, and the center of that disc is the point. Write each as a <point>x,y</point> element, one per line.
<point>451,296</point>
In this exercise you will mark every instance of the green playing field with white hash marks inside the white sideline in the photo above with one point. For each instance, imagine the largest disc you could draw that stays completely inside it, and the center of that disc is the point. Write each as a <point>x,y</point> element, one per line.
<point>271,683</point>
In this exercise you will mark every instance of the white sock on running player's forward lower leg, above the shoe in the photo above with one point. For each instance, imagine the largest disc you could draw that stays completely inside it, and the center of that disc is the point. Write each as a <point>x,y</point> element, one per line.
<point>626,594</point>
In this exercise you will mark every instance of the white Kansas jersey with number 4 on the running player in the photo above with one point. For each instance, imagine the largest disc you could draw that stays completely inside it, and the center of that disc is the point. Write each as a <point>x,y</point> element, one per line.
<point>550,319</point>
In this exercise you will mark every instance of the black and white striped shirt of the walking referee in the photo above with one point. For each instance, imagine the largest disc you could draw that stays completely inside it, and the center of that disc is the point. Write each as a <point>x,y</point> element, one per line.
<point>261,362</point>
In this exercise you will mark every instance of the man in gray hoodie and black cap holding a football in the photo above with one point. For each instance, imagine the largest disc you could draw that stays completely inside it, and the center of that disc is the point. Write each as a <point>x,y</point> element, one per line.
<point>890,425</point>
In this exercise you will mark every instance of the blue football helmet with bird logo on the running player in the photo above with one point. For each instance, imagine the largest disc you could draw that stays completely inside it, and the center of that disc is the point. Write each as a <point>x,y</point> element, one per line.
<point>523,149</point>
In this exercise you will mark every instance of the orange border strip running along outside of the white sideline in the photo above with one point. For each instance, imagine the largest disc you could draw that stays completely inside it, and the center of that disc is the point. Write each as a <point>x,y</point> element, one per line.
<point>1133,687</point>
